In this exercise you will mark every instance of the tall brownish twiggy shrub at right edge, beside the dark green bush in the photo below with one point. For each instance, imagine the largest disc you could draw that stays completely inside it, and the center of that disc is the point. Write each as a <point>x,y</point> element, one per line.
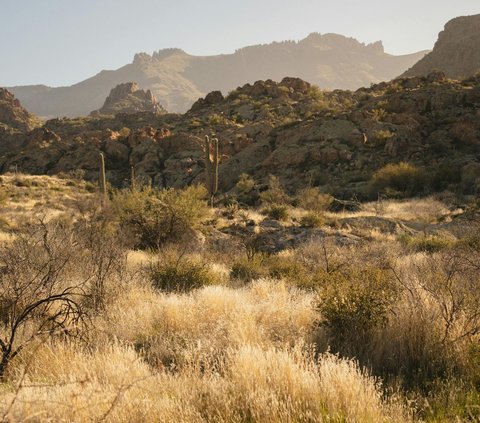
<point>433,324</point>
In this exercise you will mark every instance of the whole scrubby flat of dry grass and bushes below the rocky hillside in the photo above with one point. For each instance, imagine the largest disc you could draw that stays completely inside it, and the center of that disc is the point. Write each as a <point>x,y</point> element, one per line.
<point>154,307</point>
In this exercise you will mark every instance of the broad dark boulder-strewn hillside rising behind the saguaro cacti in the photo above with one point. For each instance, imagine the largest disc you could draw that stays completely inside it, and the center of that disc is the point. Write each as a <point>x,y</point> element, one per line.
<point>335,140</point>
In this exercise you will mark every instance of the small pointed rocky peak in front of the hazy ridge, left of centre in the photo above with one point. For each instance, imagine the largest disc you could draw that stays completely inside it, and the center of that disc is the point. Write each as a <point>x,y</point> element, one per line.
<point>129,98</point>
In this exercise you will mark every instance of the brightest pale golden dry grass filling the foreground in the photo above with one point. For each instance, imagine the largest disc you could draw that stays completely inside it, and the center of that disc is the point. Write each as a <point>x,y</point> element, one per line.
<point>241,356</point>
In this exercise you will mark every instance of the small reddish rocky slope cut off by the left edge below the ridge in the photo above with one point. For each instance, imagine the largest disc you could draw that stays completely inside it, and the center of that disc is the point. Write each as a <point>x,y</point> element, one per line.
<point>13,115</point>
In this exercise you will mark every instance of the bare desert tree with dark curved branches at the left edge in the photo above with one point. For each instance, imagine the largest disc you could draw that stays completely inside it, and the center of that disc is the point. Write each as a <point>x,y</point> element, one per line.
<point>38,295</point>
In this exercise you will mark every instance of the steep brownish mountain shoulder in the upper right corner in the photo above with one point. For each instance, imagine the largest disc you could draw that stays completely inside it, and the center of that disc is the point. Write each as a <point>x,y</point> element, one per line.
<point>457,51</point>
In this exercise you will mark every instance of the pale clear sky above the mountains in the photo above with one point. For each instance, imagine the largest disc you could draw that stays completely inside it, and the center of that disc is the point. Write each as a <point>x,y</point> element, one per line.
<point>61,42</point>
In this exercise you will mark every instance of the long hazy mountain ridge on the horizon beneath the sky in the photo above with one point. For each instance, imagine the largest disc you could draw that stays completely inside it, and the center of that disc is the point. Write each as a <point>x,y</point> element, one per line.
<point>178,79</point>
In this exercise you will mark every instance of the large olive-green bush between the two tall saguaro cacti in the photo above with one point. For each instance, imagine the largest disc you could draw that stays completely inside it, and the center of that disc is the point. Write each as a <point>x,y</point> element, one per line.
<point>155,217</point>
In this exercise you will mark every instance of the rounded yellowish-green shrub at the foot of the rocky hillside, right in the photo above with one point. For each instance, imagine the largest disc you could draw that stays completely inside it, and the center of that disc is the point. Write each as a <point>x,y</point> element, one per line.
<point>402,179</point>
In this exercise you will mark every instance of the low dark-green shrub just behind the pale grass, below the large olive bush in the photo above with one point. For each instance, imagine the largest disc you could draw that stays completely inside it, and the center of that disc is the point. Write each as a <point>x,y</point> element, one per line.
<point>179,273</point>
